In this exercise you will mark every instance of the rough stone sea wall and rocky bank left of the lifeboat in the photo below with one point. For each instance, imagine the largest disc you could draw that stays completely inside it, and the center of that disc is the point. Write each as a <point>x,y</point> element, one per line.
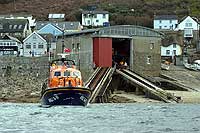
<point>21,78</point>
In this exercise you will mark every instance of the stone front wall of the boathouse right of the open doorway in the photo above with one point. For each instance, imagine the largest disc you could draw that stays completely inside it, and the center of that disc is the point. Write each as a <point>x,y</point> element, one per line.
<point>146,56</point>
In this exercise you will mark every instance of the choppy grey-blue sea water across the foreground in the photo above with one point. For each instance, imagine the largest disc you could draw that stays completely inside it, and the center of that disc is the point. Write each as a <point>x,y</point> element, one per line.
<point>100,118</point>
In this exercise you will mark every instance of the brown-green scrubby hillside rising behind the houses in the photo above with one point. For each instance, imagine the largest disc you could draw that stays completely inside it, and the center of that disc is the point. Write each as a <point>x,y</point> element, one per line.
<point>138,12</point>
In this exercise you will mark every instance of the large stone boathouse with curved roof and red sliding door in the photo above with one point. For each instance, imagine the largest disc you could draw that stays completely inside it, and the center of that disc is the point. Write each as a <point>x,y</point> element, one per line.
<point>138,46</point>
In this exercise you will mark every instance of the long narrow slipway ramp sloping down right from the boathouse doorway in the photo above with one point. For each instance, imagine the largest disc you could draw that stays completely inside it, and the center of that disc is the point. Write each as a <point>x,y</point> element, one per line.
<point>147,87</point>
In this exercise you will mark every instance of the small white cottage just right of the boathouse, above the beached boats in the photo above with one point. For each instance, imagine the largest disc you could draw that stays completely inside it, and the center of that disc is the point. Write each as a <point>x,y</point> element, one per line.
<point>171,50</point>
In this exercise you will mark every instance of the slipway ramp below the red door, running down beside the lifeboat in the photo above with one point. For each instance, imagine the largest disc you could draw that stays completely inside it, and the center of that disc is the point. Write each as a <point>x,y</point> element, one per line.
<point>98,83</point>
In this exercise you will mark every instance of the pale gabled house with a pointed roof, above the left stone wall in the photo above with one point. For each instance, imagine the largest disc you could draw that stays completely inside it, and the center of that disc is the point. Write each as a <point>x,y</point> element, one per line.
<point>34,45</point>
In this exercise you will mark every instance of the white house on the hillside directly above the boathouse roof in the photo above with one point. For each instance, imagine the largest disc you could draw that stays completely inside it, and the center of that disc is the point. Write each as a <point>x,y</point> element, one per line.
<point>95,18</point>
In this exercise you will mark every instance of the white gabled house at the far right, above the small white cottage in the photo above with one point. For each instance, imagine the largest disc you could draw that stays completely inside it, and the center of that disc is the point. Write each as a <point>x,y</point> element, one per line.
<point>188,25</point>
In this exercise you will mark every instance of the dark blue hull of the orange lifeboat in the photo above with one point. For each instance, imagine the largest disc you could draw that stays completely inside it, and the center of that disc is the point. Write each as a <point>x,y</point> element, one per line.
<point>66,96</point>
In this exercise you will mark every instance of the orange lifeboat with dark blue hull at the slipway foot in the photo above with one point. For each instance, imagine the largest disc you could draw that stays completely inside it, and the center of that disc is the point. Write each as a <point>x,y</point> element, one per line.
<point>65,85</point>
